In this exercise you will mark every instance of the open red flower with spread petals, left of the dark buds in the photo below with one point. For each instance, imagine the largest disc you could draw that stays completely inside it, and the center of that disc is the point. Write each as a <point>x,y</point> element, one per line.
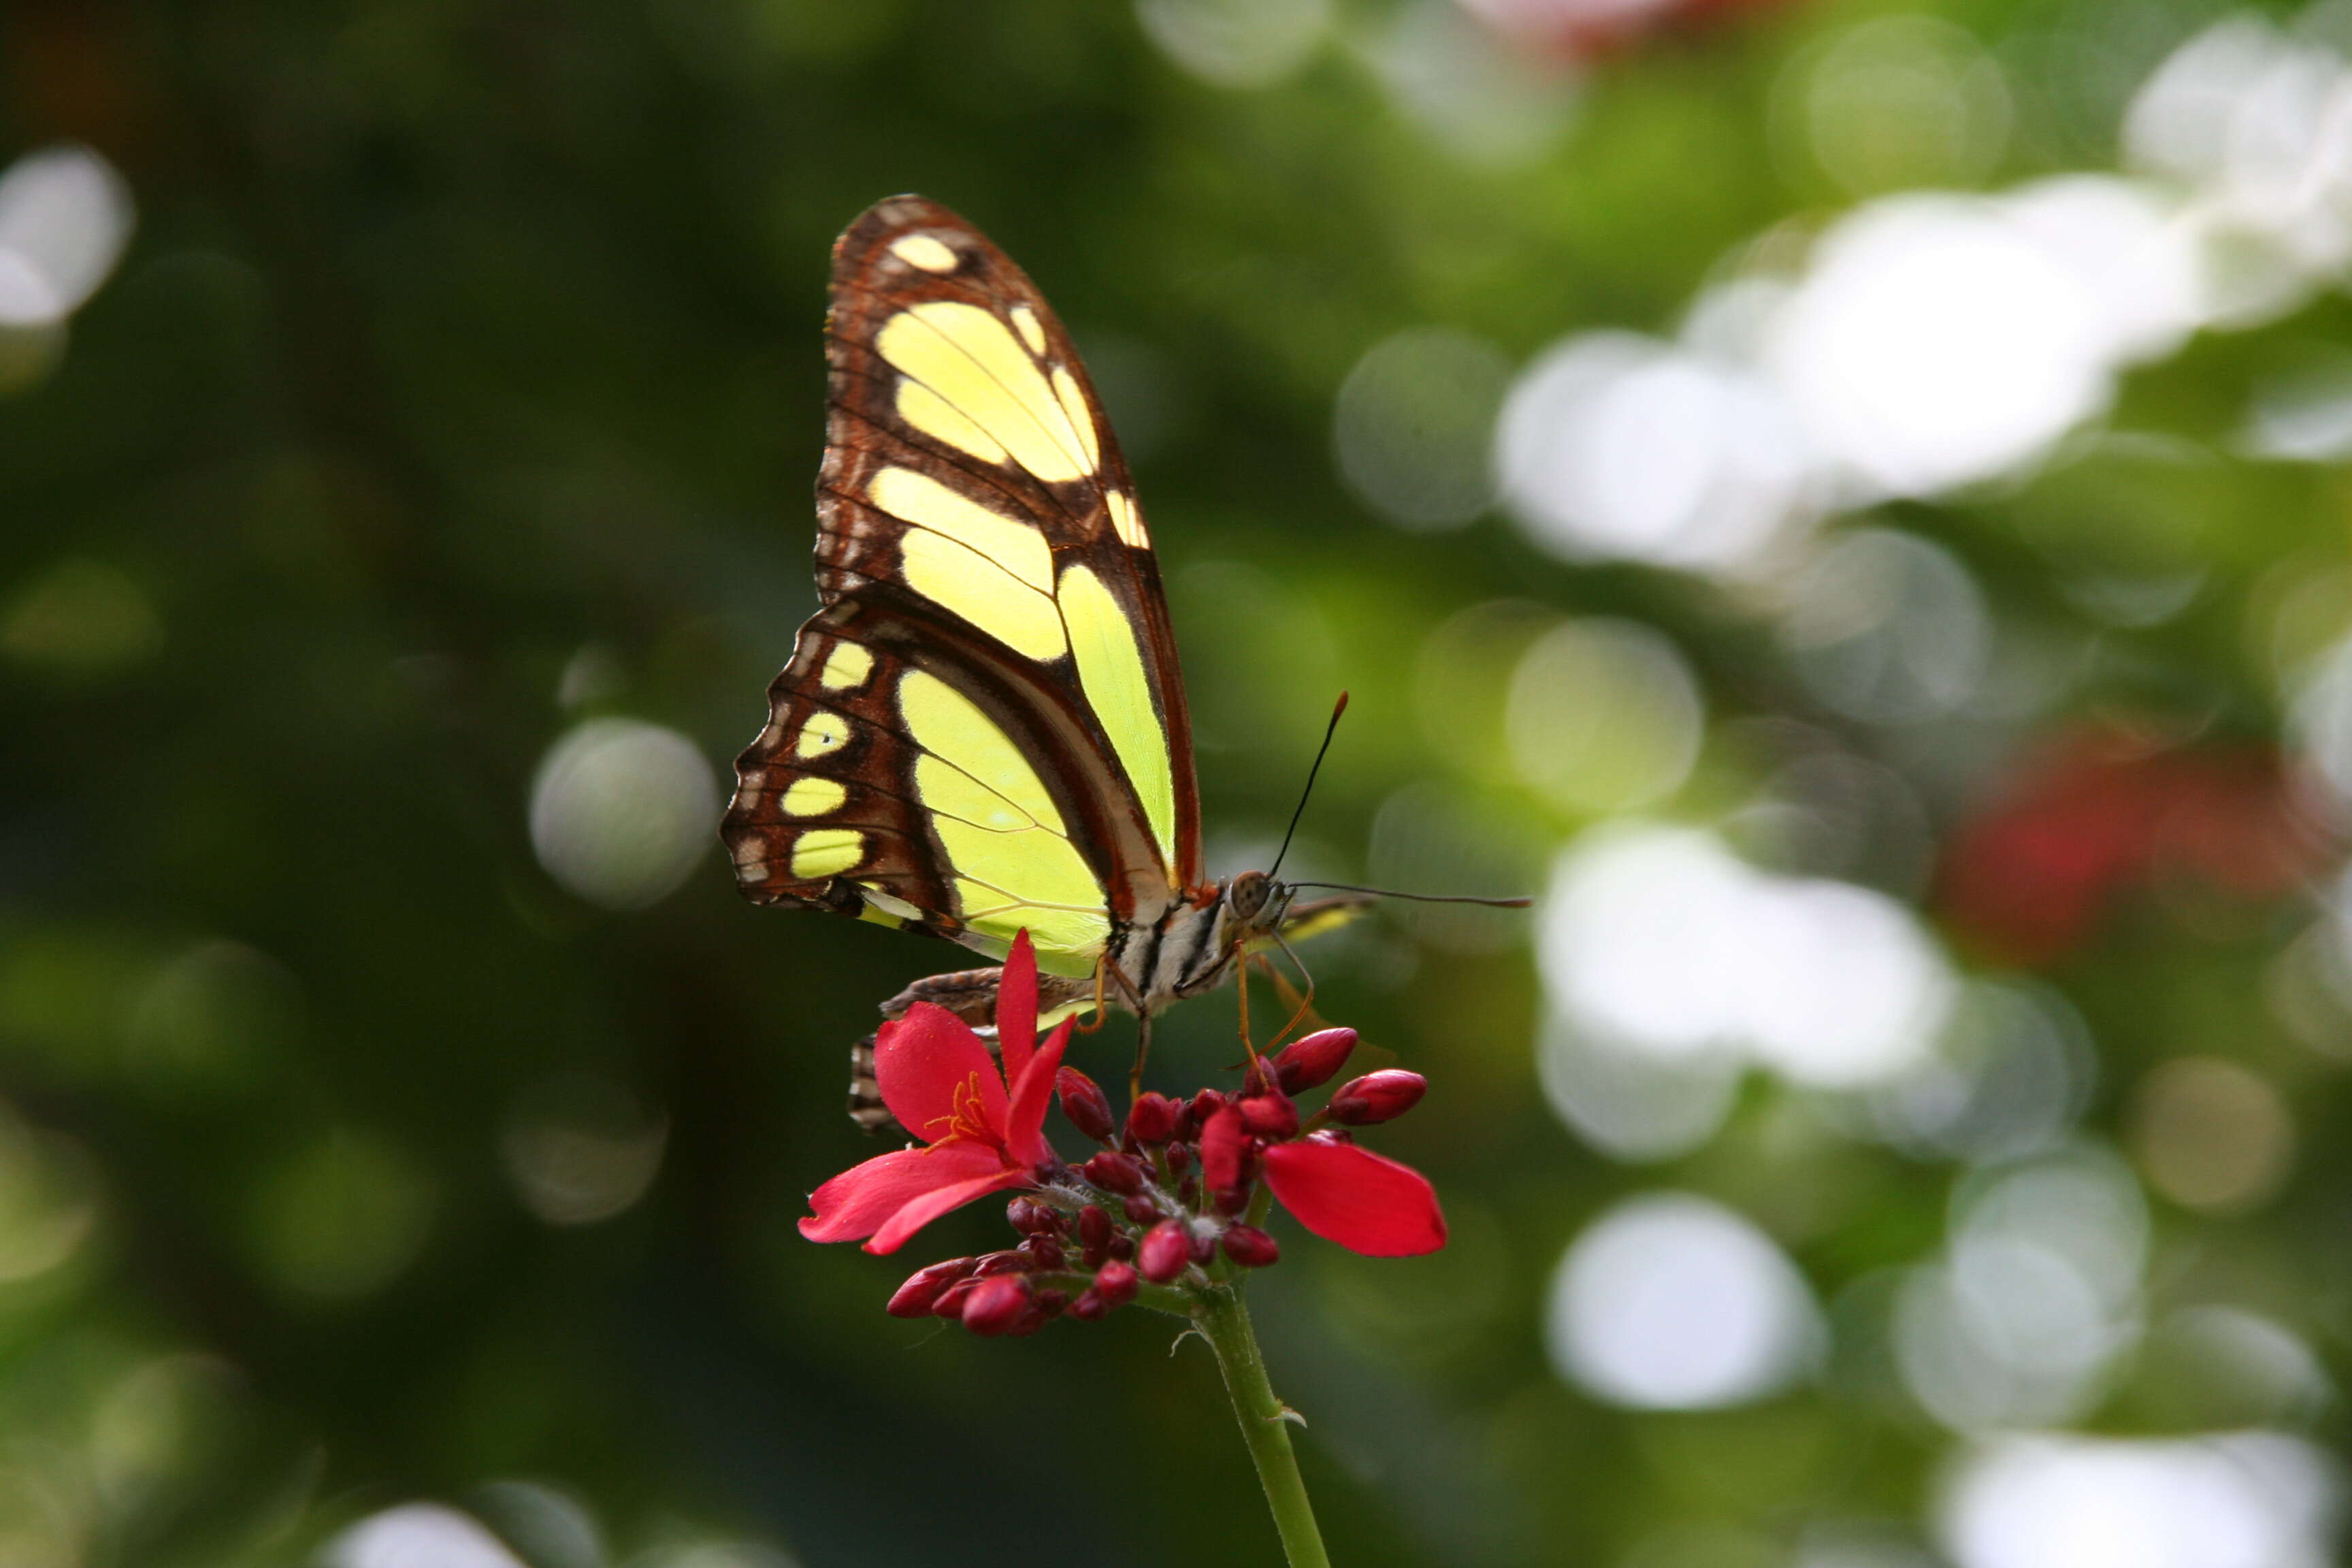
<point>980,1137</point>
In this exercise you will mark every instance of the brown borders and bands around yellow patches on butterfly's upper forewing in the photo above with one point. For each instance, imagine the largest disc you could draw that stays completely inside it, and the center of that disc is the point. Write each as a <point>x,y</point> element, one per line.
<point>864,434</point>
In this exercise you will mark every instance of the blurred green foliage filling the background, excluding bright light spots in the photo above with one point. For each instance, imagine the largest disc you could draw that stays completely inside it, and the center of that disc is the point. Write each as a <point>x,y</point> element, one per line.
<point>462,384</point>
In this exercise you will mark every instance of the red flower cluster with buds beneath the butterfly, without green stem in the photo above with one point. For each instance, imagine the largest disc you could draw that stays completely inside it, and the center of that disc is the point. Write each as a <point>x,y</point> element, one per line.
<point>1168,1193</point>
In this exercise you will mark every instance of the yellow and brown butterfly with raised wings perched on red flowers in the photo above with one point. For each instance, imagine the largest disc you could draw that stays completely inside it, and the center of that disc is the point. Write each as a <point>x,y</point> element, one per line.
<point>984,725</point>
